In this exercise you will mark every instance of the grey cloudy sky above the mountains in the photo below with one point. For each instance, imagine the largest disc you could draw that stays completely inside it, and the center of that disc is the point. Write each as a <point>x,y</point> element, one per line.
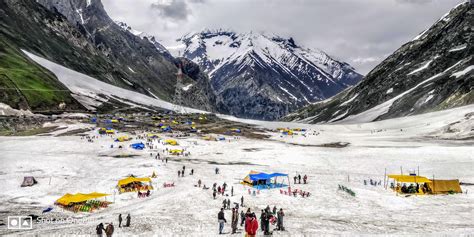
<point>360,32</point>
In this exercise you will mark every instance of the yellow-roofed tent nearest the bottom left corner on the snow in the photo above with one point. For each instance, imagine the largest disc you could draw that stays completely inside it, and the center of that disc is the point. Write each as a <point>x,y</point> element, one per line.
<point>84,202</point>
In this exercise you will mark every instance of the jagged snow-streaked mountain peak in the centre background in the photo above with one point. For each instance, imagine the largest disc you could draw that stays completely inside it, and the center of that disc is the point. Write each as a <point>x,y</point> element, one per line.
<point>265,76</point>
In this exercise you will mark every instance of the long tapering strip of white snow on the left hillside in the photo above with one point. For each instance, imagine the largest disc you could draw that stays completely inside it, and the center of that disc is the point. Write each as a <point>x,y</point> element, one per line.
<point>90,92</point>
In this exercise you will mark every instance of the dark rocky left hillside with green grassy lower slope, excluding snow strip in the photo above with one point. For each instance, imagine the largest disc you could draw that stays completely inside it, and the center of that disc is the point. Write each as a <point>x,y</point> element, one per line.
<point>79,34</point>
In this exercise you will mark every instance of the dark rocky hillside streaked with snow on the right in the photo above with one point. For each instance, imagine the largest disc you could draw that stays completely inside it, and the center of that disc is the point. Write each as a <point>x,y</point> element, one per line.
<point>434,71</point>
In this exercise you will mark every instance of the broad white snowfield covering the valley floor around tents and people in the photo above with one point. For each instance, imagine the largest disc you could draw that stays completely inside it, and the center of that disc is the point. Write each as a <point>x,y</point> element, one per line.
<point>75,165</point>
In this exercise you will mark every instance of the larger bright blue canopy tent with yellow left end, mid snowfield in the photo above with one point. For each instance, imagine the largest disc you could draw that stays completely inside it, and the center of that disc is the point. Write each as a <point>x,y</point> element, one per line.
<point>260,180</point>
